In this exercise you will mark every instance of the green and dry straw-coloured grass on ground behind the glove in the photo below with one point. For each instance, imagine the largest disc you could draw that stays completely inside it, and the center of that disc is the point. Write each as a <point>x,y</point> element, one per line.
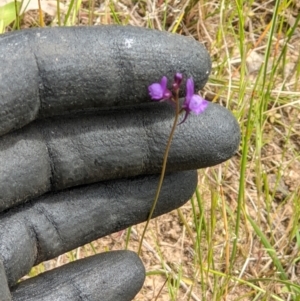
<point>238,238</point>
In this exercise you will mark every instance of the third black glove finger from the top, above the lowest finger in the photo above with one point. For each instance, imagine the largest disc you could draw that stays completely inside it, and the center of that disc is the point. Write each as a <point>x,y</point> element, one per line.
<point>56,223</point>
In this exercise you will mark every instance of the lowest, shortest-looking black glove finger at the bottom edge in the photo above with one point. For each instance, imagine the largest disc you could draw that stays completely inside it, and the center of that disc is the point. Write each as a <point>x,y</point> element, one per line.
<point>111,276</point>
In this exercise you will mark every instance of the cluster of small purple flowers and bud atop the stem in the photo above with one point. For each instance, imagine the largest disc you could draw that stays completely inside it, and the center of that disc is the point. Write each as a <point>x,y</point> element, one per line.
<point>192,102</point>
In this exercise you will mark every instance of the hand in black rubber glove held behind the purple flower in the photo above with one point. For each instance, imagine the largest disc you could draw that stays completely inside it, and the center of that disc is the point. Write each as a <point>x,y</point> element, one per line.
<point>81,150</point>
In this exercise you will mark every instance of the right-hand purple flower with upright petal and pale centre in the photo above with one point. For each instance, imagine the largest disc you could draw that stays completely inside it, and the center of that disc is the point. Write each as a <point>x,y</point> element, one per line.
<point>193,102</point>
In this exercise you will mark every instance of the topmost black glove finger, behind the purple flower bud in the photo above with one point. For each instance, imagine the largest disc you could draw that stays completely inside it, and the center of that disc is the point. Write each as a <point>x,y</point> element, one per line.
<point>71,68</point>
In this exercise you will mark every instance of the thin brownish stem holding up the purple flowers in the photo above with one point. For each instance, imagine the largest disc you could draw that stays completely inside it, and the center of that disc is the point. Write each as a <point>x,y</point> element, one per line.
<point>163,171</point>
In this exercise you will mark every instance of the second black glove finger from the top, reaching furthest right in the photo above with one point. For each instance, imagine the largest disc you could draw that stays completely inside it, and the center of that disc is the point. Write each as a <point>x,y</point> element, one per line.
<point>57,153</point>
